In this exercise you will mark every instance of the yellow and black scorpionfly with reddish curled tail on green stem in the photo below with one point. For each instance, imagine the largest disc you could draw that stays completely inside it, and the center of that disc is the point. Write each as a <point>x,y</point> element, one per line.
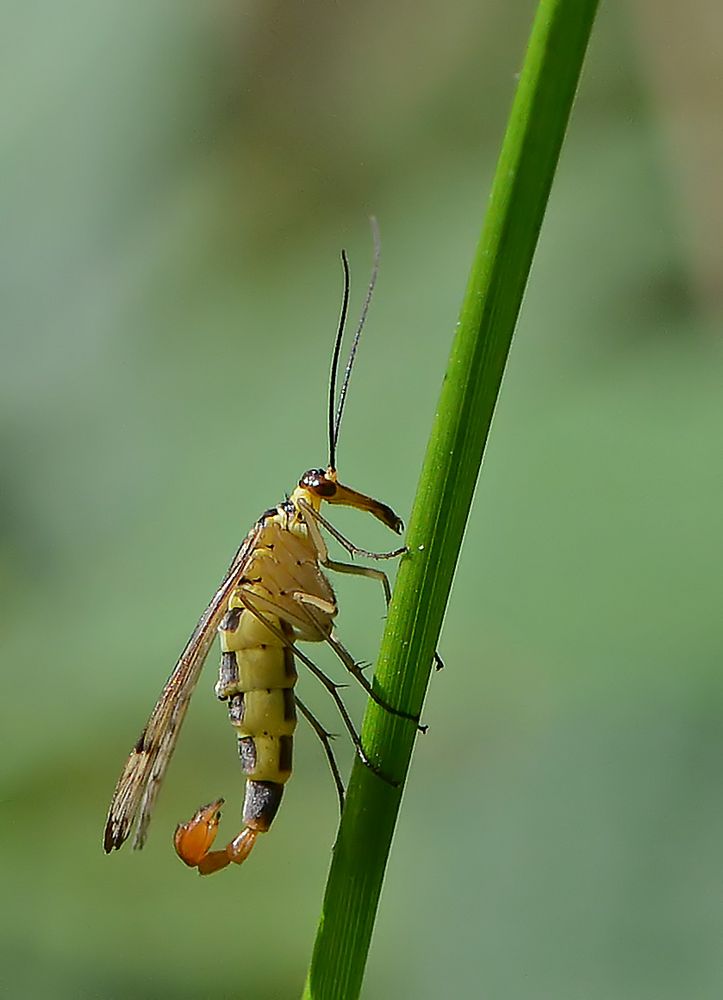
<point>274,594</point>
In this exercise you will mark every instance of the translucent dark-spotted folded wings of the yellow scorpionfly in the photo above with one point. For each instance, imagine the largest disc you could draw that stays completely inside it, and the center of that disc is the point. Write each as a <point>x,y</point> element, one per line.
<point>141,778</point>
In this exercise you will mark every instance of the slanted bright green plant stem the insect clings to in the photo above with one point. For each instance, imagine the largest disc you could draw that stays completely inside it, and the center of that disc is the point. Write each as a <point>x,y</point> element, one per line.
<point>489,312</point>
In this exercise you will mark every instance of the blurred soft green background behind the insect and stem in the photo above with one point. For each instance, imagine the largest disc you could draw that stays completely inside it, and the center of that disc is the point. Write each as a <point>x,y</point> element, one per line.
<point>177,180</point>
